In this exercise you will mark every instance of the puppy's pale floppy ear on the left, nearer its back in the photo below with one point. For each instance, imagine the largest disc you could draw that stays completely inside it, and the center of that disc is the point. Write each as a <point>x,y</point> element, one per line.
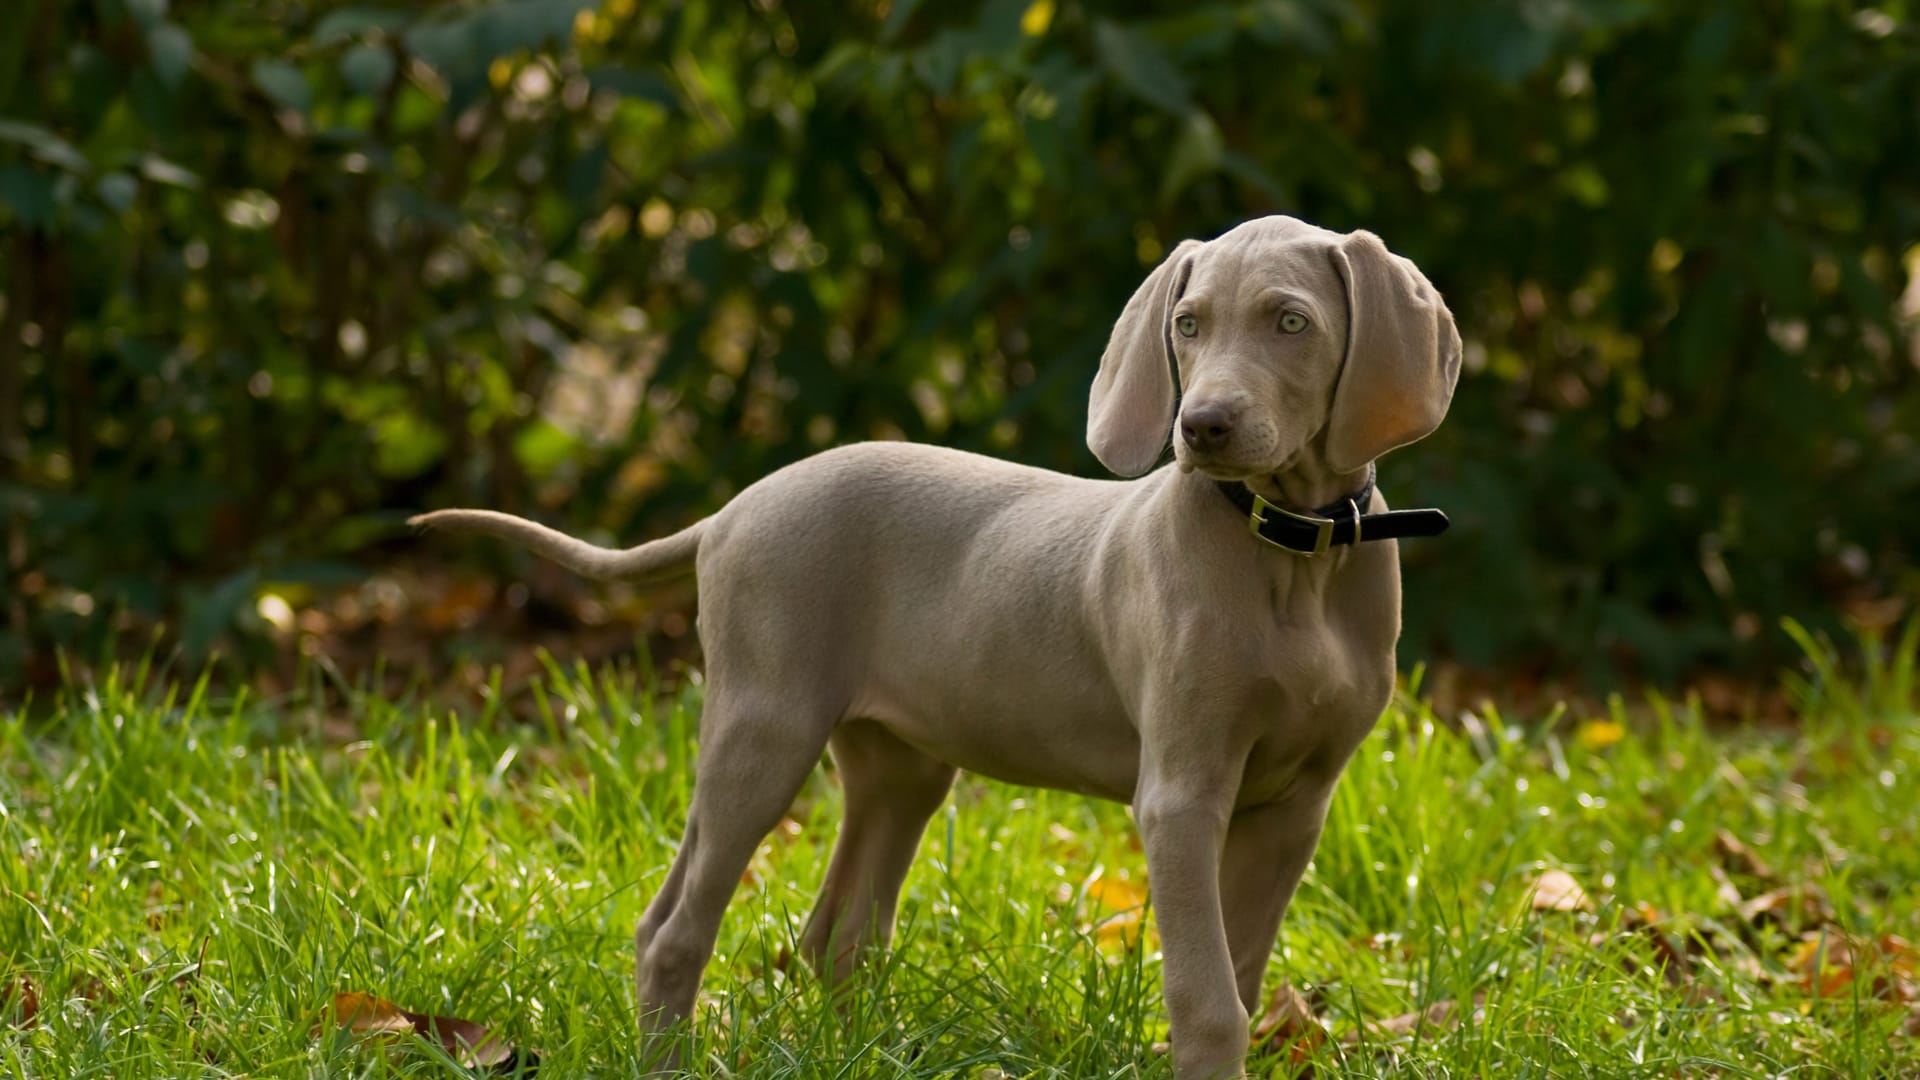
<point>1130,412</point>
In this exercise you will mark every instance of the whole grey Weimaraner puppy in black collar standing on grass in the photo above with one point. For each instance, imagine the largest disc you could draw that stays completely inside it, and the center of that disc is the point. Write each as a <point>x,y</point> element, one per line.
<point>1209,643</point>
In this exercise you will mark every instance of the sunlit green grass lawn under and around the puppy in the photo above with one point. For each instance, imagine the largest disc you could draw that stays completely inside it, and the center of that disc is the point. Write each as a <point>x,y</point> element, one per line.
<point>187,883</point>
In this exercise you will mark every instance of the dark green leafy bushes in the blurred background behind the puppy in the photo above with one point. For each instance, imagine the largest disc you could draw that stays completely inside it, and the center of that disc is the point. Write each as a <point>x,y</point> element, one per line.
<point>279,274</point>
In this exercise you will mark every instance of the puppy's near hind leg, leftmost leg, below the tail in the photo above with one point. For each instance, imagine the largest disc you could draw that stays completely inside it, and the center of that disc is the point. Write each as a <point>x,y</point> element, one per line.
<point>756,754</point>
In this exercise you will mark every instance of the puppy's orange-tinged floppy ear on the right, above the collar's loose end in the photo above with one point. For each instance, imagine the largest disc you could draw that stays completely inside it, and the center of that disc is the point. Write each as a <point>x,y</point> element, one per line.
<point>1403,356</point>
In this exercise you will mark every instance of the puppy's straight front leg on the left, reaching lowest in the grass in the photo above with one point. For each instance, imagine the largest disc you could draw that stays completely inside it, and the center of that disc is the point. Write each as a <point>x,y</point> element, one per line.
<point>1184,825</point>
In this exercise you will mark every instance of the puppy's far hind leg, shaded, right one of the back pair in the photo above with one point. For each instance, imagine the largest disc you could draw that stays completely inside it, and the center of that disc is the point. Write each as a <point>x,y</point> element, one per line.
<point>892,793</point>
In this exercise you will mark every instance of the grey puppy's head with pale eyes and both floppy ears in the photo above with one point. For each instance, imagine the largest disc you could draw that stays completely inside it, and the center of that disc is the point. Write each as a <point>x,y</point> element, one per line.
<point>1287,341</point>
